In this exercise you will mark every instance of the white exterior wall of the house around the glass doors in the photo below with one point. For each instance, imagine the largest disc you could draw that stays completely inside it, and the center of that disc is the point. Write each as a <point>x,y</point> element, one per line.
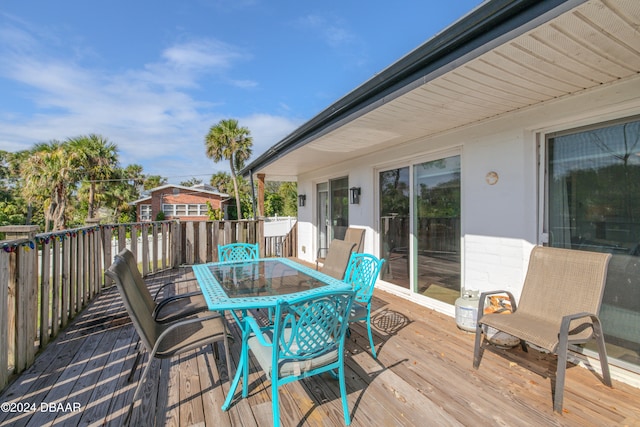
<point>500,223</point>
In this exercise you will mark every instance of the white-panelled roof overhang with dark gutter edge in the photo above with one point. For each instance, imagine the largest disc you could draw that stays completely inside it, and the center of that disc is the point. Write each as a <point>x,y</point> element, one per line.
<point>504,56</point>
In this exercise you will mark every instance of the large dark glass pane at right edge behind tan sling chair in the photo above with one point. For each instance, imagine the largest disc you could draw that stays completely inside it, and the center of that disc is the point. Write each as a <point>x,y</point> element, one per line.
<point>593,204</point>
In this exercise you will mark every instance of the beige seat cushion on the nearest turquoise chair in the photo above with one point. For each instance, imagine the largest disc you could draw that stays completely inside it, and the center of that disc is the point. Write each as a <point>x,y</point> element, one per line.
<point>287,367</point>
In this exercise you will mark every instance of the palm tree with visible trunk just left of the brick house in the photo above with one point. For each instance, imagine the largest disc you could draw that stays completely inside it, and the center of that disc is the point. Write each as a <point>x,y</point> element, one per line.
<point>97,160</point>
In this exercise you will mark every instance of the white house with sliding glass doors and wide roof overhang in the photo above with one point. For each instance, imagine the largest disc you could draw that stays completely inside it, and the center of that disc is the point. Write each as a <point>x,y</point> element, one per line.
<point>518,125</point>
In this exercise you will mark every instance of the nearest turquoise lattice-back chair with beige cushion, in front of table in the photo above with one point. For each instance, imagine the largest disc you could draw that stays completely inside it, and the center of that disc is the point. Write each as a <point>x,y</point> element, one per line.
<point>307,338</point>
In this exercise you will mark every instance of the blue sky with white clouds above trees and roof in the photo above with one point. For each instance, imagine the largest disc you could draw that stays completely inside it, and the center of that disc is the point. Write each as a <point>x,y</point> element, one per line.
<point>153,76</point>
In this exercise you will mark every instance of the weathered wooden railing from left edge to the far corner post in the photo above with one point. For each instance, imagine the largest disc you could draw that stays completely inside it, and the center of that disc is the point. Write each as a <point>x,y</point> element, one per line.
<point>47,279</point>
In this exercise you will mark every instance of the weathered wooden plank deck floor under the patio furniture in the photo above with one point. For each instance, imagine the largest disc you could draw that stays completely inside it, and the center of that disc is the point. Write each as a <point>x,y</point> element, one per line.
<point>423,377</point>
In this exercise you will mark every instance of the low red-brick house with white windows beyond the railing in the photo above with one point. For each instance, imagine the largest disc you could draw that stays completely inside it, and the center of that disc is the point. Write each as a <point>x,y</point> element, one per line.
<point>179,202</point>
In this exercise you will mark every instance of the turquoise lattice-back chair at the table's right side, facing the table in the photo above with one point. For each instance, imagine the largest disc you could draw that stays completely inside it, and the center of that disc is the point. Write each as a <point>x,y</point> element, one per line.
<point>362,272</point>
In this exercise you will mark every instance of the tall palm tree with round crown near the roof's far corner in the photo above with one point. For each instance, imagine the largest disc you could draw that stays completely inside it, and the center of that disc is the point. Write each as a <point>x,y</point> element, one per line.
<point>226,140</point>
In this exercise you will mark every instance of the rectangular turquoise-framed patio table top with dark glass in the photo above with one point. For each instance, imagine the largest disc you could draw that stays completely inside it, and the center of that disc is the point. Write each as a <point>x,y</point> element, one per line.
<point>252,284</point>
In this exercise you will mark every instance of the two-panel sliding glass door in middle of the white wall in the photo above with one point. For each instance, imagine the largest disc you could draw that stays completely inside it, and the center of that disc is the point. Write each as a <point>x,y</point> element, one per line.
<point>420,227</point>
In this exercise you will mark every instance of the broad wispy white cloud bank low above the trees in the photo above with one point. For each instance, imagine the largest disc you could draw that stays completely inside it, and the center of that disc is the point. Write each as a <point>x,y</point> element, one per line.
<point>148,112</point>
